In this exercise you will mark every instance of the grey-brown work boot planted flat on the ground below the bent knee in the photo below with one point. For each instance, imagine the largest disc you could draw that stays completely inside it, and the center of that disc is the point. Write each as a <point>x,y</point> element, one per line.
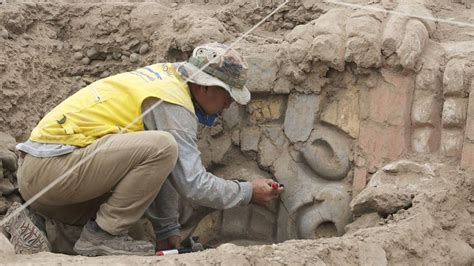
<point>96,242</point>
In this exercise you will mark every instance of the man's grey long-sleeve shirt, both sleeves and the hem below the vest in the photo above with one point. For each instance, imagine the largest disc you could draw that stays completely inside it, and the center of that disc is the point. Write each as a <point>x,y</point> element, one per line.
<point>189,178</point>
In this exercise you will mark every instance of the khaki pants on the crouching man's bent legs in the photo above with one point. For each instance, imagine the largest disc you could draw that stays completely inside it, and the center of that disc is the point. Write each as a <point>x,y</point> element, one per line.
<point>115,185</point>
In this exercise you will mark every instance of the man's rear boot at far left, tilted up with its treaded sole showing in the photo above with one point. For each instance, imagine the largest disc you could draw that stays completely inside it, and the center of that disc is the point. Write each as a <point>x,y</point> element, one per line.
<point>25,236</point>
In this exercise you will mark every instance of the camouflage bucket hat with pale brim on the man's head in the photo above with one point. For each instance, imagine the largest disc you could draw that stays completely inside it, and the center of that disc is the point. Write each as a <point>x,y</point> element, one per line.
<point>227,69</point>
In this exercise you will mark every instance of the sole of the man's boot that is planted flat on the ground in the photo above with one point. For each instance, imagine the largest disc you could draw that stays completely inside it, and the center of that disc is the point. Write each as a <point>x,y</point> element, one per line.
<point>87,249</point>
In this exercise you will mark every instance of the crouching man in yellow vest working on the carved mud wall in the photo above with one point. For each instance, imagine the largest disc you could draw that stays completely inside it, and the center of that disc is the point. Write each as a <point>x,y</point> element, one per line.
<point>115,164</point>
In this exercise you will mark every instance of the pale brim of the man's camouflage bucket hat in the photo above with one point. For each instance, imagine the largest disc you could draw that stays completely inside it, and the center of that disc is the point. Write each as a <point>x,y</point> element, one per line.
<point>195,75</point>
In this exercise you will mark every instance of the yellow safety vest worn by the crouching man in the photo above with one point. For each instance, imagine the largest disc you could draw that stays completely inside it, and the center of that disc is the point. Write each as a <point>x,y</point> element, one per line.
<point>111,105</point>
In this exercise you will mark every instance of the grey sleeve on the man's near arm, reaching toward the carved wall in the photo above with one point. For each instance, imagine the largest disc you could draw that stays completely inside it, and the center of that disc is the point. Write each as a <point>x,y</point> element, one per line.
<point>189,177</point>
